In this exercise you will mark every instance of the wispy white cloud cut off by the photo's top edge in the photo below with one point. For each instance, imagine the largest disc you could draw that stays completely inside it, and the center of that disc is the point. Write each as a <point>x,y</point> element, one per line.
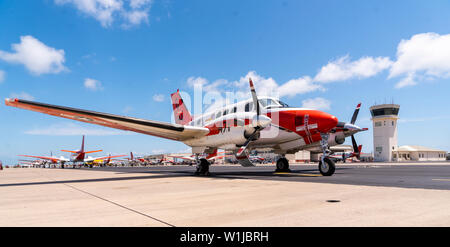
<point>106,11</point>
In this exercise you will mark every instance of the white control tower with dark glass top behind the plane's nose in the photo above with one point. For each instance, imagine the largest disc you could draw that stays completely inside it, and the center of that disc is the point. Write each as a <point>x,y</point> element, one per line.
<point>384,118</point>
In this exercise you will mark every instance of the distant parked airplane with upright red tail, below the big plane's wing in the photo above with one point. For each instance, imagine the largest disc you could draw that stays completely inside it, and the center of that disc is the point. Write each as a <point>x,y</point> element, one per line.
<point>77,157</point>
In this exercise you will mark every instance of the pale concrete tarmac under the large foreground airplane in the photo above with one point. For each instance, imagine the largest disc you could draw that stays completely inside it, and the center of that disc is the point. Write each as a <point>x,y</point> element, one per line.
<point>366,194</point>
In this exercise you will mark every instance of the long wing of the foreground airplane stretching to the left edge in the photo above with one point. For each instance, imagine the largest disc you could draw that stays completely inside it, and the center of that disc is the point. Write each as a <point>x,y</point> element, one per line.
<point>161,129</point>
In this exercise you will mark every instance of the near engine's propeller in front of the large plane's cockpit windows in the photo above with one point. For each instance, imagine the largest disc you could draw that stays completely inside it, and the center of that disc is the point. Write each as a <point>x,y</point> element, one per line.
<point>259,122</point>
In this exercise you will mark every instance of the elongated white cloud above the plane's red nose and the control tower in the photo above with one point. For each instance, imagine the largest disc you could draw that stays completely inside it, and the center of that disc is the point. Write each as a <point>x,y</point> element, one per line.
<point>344,69</point>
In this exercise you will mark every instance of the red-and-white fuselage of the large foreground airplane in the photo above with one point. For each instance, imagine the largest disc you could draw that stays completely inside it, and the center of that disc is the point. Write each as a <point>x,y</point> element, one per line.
<point>291,128</point>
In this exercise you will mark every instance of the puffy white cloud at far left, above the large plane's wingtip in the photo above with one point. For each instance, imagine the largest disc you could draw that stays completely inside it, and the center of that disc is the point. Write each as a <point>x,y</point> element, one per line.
<point>35,56</point>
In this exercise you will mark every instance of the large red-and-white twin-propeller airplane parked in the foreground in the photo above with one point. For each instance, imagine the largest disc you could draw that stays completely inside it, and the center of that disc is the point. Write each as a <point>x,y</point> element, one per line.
<point>246,125</point>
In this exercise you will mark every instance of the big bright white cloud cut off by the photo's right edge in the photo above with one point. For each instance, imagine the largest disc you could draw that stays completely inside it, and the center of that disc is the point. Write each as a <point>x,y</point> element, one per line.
<point>425,55</point>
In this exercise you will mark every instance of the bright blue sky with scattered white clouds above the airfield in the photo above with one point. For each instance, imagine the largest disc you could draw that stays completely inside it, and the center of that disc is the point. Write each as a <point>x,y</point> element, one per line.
<point>127,58</point>
